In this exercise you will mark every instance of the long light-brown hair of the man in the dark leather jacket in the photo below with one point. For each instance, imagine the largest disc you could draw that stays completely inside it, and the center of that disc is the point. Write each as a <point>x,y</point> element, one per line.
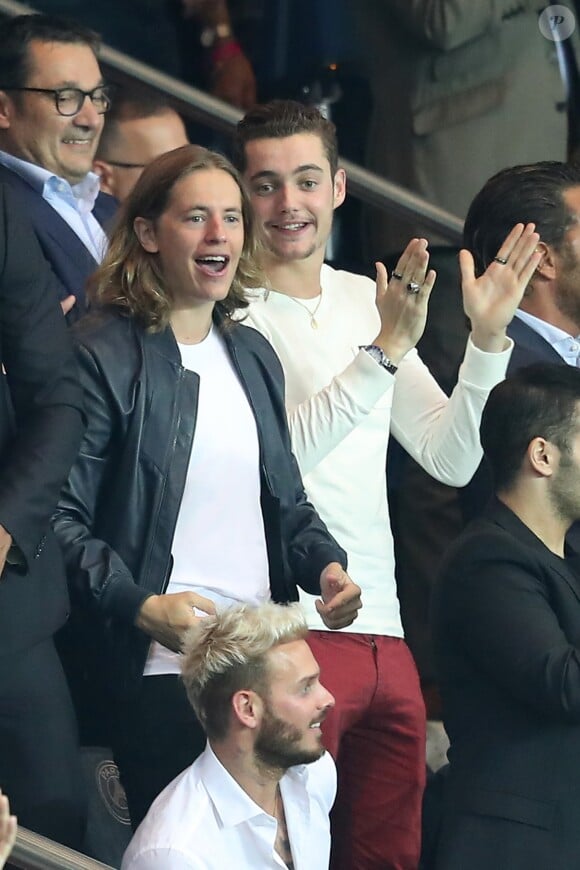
<point>130,278</point>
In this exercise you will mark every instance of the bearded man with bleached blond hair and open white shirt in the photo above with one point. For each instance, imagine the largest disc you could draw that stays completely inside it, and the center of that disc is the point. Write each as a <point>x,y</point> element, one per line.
<point>259,795</point>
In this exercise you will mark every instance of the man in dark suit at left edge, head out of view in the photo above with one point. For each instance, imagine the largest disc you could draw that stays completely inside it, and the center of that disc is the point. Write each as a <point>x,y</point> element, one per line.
<point>40,430</point>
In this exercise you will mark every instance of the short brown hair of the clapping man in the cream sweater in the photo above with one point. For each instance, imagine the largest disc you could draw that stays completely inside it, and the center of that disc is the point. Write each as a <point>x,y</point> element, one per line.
<point>279,119</point>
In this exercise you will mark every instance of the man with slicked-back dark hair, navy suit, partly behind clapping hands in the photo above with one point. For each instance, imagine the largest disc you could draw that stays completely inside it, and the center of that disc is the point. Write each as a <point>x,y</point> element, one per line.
<point>546,327</point>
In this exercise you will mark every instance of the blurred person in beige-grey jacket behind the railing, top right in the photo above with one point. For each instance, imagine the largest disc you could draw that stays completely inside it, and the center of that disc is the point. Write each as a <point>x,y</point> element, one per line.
<point>452,84</point>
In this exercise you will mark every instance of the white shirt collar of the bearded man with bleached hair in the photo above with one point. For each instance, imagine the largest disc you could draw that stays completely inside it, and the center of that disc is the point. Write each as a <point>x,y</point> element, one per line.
<point>231,802</point>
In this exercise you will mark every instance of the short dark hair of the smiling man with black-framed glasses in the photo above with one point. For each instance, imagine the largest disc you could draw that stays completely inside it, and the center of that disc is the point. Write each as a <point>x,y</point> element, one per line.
<point>17,33</point>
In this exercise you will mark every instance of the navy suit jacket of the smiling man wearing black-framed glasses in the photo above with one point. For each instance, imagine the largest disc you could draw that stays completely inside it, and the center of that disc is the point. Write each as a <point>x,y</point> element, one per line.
<point>69,260</point>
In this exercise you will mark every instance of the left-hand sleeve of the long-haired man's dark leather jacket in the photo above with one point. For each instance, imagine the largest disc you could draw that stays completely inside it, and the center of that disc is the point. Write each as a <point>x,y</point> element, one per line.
<point>97,575</point>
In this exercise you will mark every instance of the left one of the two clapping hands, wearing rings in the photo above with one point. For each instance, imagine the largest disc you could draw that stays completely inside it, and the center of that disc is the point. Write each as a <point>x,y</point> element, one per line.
<point>402,300</point>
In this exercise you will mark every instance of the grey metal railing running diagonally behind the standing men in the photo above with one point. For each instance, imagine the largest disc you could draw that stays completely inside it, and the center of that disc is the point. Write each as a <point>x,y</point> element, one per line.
<point>206,109</point>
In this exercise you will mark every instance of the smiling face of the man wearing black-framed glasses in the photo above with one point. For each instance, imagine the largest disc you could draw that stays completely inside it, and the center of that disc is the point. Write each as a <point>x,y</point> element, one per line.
<point>30,126</point>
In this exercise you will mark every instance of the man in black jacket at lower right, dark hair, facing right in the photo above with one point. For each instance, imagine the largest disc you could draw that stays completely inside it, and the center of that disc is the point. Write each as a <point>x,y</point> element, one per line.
<point>506,621</point>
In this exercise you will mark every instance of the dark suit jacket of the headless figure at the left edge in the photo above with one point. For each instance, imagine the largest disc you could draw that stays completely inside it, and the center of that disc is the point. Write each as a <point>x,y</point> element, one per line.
<point>40,430</point>
